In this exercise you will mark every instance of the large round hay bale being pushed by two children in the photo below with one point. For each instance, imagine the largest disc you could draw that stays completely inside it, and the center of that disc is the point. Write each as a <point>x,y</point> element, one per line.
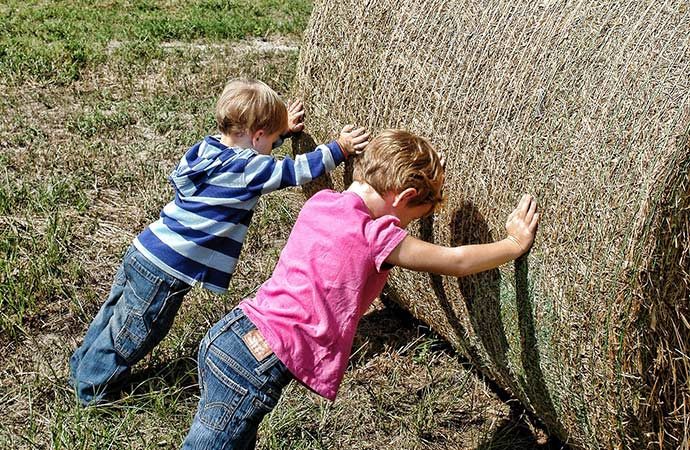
<point>585,104</point>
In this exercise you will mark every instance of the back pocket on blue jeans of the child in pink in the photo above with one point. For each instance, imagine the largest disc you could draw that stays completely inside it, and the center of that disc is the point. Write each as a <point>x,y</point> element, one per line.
<point>222,398</point>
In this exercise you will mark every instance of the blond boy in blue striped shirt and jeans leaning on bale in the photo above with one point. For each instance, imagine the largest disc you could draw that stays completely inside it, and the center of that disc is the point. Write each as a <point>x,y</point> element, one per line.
<point>199,235</point>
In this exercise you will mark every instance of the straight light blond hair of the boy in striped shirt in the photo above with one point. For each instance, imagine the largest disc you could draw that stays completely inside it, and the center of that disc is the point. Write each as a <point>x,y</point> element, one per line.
<point>250,105</point>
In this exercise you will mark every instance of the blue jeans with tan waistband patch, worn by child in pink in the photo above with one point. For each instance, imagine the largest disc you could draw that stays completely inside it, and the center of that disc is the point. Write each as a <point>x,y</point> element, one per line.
<point>240,381</point>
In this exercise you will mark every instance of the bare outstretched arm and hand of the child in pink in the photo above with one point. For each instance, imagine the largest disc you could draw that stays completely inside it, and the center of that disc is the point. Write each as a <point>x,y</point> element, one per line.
<point>521,227</point>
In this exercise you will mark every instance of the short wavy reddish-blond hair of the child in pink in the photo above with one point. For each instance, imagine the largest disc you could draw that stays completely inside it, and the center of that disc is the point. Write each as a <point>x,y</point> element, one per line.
<point>396,160</point>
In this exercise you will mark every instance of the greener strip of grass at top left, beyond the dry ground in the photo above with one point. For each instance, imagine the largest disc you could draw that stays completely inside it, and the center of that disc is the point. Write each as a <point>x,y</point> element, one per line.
<point>55,41</point>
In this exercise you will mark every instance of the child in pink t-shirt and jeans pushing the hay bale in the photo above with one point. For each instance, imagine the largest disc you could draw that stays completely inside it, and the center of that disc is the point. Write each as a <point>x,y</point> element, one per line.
<point>302,321</point>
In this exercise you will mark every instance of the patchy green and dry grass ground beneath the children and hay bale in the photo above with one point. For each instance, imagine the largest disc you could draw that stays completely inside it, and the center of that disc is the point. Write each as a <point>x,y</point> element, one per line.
<point>99,101</point>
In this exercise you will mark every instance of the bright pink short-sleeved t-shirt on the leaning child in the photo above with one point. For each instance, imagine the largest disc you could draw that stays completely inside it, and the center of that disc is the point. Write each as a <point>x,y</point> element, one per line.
<point>326,278</point>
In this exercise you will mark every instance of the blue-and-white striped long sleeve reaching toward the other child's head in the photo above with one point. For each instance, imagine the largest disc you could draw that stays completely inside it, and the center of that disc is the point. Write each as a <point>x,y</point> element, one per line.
<point>264,173</point>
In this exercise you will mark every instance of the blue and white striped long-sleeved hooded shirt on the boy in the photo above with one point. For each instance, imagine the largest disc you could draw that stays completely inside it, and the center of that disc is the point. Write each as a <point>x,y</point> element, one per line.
<point>199,235</point>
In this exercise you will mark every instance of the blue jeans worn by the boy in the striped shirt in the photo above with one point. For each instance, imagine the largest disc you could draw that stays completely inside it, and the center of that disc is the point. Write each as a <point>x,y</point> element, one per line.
<point>137,315</point>
